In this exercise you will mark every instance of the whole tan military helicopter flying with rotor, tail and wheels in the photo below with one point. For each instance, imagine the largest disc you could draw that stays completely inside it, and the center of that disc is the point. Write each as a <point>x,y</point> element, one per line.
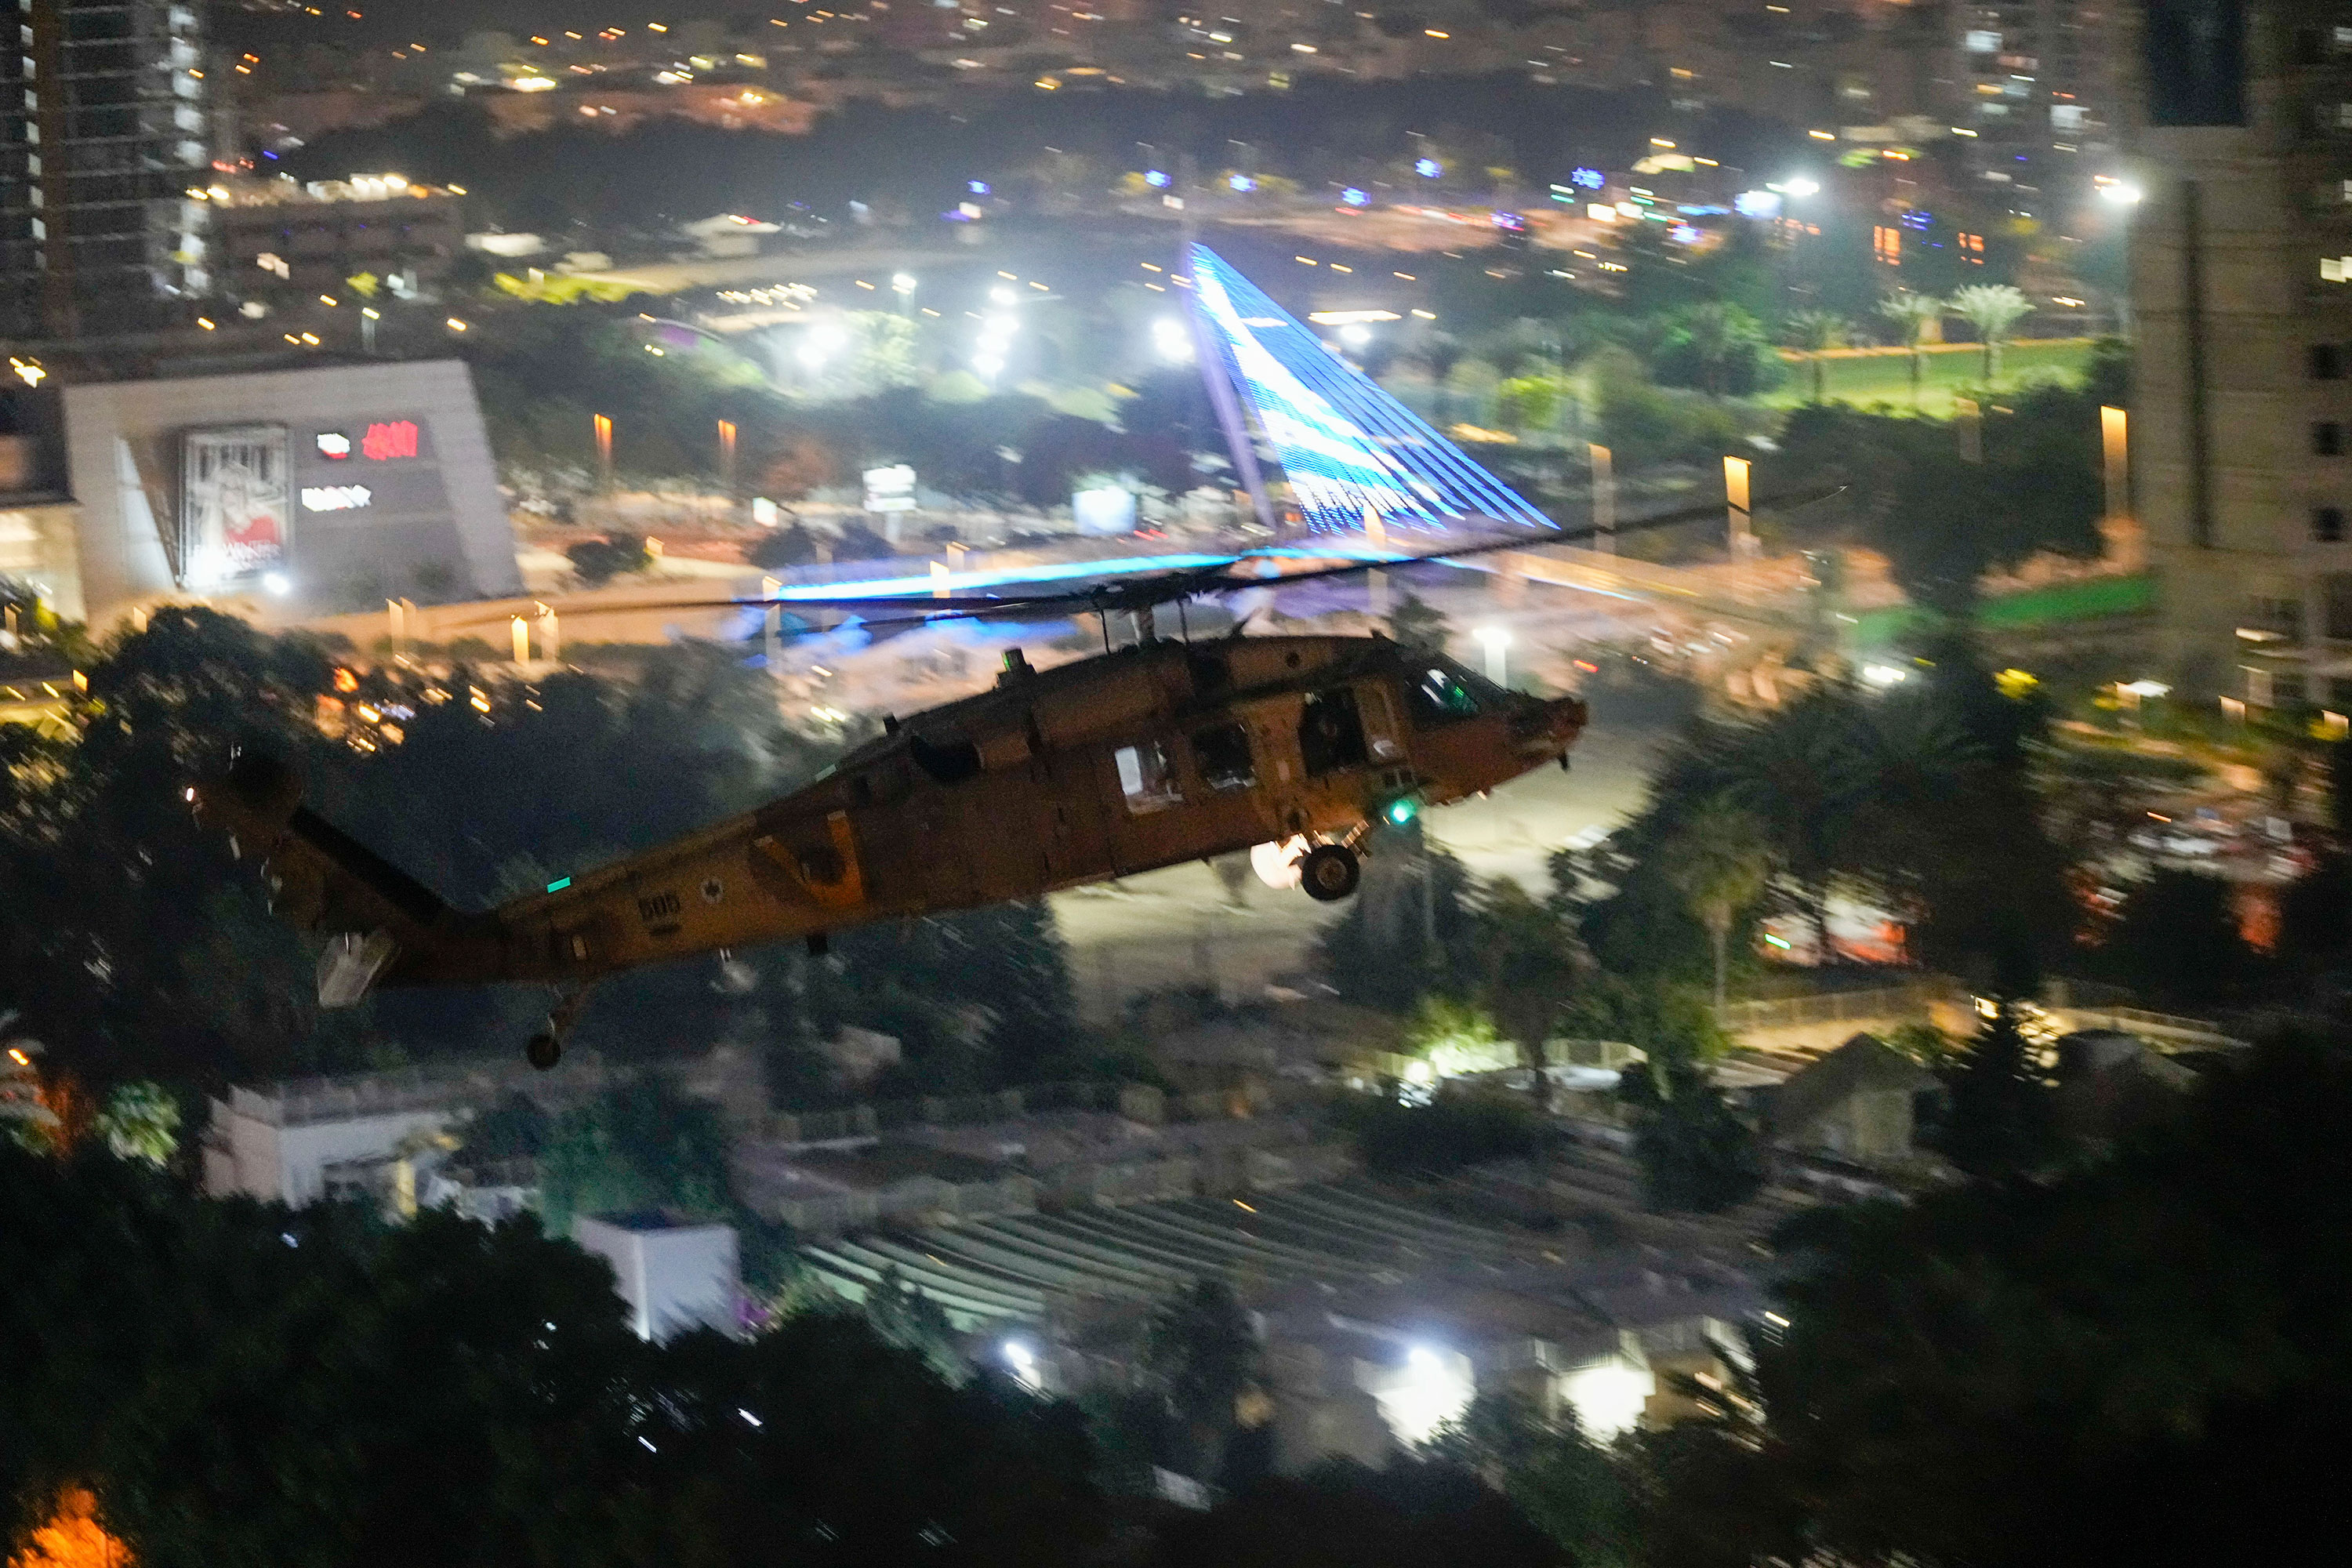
<point>1053,779</point>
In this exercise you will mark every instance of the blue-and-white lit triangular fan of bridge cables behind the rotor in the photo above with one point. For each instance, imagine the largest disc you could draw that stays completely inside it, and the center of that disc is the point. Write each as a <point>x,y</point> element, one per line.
<point>1344,443</point>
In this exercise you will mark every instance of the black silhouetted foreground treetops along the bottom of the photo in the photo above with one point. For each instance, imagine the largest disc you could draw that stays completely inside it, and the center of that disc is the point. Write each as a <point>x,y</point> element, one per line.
<point>2120,1358</point>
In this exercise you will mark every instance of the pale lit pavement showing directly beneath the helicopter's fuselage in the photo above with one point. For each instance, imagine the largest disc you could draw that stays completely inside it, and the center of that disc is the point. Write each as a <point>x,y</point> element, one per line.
<point>1175,927</point>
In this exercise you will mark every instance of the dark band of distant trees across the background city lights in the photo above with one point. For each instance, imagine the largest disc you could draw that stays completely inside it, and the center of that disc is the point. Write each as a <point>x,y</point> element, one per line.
<point>914,161</point>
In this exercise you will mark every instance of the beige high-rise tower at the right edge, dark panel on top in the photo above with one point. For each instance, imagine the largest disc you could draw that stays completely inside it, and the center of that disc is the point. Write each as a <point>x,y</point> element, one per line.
<point>2243,288</point>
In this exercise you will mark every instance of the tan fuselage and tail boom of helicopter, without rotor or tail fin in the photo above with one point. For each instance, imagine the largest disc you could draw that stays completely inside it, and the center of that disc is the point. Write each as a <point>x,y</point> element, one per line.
<point>1053,779</point>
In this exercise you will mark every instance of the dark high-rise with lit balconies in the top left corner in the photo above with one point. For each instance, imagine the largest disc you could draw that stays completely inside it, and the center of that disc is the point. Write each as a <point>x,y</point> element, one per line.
<point>102,142</point>
